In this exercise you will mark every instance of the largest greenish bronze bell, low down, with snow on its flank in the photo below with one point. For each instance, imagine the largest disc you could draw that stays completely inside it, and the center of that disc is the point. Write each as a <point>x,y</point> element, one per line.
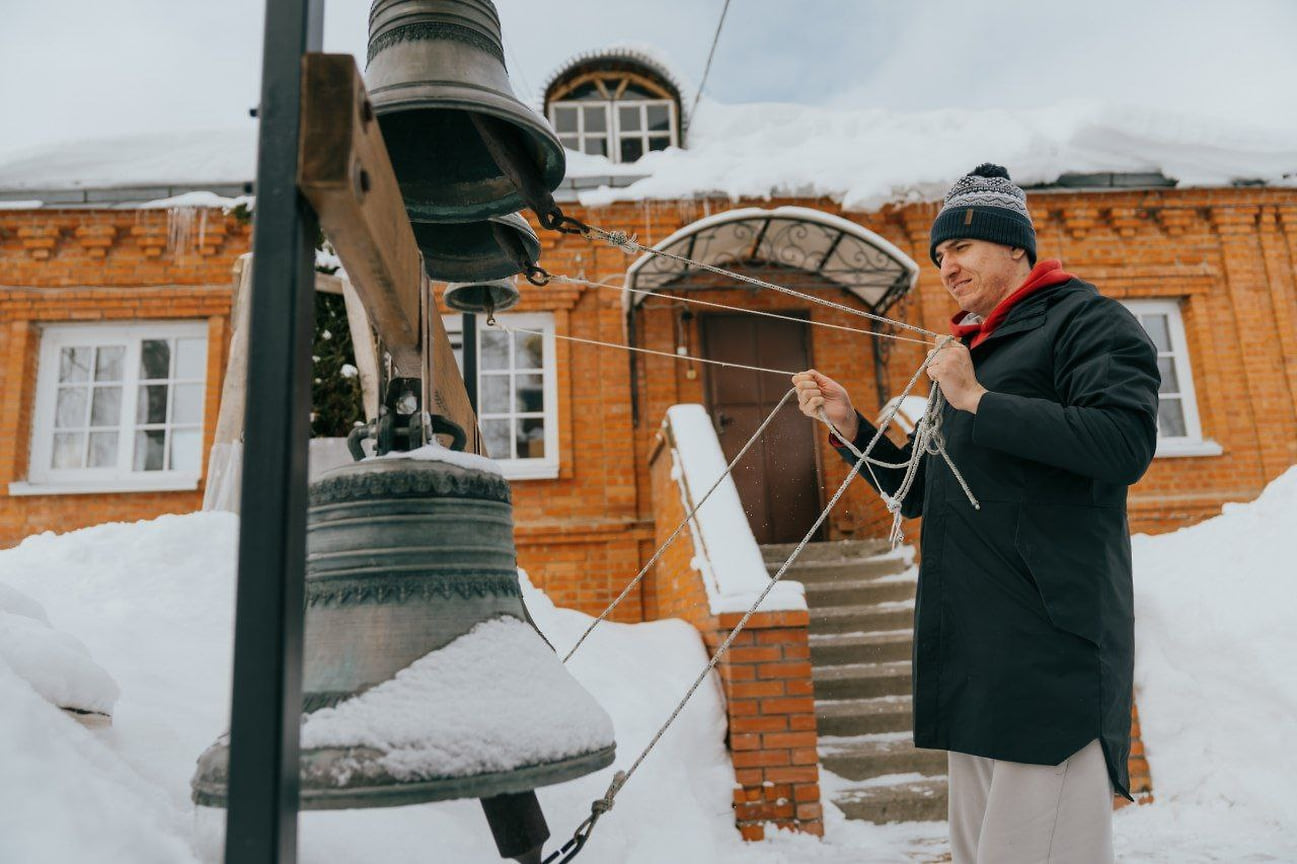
<point>423,675</point>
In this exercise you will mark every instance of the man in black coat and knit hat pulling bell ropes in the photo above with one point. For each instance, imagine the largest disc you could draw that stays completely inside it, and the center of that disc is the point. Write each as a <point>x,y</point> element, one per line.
<point>1024,626</point>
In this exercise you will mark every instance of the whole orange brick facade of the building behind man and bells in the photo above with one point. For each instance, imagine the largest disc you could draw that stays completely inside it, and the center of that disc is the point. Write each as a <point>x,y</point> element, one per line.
<point>1229,254</point>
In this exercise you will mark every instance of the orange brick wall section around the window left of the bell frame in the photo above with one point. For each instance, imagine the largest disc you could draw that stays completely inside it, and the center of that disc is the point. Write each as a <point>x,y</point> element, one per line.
<point>63,267</point>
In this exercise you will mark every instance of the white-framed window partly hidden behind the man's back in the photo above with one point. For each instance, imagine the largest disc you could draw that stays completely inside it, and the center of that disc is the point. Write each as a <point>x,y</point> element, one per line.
<point>1178,430</point>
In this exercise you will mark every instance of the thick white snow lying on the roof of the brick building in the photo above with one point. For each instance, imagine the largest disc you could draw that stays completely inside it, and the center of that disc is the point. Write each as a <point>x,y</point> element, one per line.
<point>862,158</point>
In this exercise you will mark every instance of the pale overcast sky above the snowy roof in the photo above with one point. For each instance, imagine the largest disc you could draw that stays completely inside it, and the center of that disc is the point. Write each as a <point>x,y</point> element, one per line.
<point>98,68</point>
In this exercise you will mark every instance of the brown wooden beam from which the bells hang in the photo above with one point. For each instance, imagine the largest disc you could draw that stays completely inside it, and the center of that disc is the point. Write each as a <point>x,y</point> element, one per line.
<point>346,173</point>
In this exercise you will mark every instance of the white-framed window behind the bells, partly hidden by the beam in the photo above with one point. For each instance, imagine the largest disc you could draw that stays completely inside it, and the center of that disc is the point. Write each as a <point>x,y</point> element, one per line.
<point>517,394</point>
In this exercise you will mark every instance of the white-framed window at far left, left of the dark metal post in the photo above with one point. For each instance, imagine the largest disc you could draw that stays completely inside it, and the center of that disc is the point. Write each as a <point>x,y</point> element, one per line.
<point>119,408</point>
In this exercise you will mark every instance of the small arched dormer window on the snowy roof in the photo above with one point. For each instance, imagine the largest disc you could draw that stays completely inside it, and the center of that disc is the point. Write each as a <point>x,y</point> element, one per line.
<point>615,116</point>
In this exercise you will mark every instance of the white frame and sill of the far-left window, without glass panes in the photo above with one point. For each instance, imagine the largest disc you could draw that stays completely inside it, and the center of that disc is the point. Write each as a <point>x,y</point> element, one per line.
<point>42,477</point>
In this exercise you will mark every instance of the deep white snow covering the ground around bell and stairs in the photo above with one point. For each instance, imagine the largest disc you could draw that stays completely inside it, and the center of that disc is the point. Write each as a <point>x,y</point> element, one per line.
<point>152,604</point>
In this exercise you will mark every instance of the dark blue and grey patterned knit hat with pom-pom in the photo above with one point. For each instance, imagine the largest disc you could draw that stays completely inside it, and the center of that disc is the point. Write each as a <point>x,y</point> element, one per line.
<point>986,206</point>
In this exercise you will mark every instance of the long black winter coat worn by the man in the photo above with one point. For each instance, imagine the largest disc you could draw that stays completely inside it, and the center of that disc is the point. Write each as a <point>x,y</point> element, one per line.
<point>1024,625</point>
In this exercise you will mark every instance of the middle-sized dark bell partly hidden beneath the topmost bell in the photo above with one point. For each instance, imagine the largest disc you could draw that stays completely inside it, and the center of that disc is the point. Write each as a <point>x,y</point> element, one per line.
<point>488,250</point>
